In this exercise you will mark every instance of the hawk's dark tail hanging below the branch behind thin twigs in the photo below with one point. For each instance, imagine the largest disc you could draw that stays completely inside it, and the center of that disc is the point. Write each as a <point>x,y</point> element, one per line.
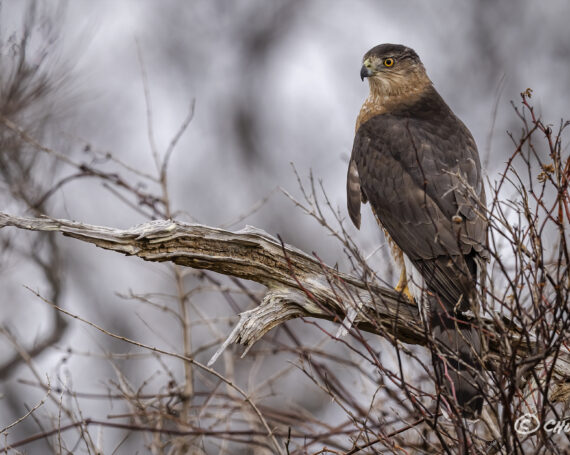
<point>457,360</point>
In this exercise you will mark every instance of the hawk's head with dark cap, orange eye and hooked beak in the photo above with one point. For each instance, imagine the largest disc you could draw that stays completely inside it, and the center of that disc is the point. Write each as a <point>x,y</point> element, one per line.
<point>393,69</point>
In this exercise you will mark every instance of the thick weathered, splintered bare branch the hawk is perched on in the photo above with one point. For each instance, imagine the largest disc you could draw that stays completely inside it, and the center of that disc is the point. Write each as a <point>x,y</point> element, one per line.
<point>298,284</point>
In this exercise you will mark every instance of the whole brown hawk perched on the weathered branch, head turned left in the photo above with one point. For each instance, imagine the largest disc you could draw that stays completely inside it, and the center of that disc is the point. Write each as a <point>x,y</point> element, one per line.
<point>417,164</point>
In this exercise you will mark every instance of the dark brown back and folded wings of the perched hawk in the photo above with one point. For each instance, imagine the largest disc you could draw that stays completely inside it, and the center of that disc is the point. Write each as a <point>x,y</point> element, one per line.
<point>420,170</point>
